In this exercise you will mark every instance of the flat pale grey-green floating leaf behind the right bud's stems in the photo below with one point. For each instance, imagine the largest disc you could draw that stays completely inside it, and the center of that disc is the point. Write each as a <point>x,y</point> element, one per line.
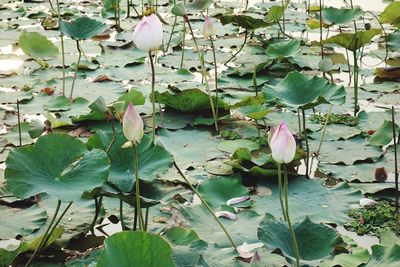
<point>309,198</point>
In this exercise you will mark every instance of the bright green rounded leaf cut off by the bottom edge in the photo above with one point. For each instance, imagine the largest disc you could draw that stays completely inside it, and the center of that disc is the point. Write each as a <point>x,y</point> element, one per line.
<point>135,249</point>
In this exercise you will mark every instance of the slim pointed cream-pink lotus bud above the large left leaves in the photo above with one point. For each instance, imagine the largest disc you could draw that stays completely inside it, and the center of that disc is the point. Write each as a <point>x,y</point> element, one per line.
<point>132,125</point>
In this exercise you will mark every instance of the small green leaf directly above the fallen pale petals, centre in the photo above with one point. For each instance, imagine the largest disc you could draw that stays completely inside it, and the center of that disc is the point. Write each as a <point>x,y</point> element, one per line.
<point>218,191</point>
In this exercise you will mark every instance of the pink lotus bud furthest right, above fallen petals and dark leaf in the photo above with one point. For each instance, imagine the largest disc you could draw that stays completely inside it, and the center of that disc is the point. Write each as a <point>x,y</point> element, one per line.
<point>283,145</point>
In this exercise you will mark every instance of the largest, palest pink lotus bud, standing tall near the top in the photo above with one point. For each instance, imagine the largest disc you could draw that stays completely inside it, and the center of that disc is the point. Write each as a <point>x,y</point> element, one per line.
<point>148,34</point>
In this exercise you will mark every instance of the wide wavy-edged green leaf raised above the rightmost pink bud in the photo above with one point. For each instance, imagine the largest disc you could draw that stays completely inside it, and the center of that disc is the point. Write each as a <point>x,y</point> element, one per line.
<point>301,91</point>
